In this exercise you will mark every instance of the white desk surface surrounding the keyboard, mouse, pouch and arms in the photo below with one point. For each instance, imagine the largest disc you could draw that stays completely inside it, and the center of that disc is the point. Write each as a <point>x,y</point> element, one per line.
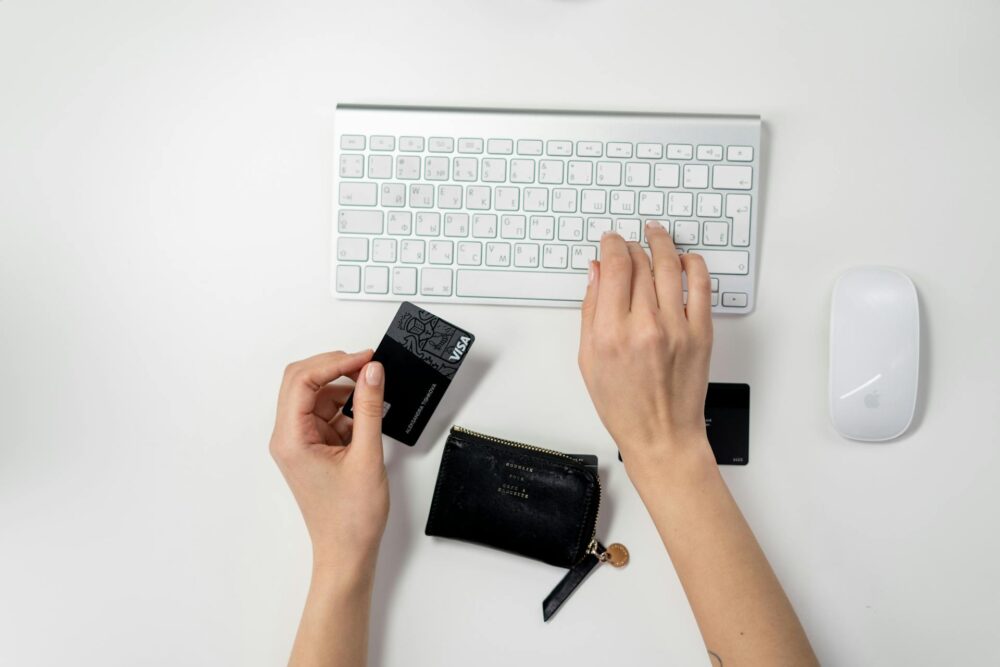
<point>165,202</point>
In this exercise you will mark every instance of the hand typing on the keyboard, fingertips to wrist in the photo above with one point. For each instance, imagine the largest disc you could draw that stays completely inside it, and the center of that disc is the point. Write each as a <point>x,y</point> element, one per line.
<point>644,355</point>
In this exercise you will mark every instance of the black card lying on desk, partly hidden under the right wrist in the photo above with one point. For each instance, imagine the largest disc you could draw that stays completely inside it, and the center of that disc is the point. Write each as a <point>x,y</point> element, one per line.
<point>727,422</point>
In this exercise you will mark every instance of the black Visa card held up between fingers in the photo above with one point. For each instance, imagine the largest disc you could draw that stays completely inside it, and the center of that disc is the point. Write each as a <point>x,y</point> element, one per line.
<point>421,354</point>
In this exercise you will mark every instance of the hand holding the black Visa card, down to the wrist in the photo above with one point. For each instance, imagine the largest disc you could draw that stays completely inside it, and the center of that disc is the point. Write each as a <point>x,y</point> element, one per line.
<point>332,463</point>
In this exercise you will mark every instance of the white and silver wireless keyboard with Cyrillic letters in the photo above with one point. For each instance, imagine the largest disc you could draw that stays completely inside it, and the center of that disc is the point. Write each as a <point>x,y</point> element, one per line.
<point>508,207</point>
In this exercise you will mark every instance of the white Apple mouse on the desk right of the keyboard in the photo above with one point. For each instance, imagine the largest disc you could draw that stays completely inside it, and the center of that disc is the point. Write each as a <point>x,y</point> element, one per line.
<point>874,353</point>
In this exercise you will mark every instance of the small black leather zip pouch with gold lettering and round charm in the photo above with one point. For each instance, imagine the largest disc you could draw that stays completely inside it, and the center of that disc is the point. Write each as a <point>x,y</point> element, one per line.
<point>523,499</point>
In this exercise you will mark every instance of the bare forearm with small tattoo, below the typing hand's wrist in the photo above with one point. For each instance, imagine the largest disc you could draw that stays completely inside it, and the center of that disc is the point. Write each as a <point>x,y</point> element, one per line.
<point>740,607</point>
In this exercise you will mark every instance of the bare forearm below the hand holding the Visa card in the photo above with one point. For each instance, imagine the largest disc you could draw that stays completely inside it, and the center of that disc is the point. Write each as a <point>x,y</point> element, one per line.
<point>334,627</point>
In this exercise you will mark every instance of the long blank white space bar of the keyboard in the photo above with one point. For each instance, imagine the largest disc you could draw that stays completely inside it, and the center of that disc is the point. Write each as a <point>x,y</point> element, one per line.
<point>540,285</point>
